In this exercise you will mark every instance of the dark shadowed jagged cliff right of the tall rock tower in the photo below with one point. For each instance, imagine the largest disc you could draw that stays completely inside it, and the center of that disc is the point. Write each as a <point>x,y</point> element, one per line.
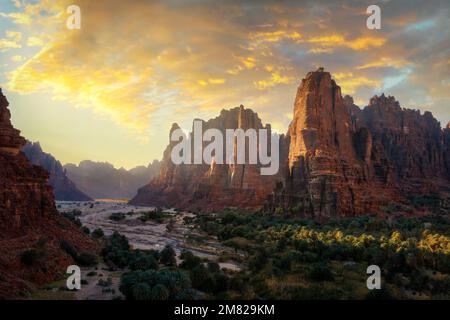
<point>407,146</point>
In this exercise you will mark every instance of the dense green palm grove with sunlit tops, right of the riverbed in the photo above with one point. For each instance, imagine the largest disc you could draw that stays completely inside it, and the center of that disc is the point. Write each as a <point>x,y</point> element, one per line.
<point>302,259</point>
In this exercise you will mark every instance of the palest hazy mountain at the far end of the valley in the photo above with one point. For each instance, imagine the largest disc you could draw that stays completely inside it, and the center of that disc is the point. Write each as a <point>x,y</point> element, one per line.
<point>102,180</point>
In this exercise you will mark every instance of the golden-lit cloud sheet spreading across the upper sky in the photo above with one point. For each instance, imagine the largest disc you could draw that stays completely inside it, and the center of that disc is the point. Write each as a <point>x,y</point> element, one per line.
<point>173,61</point>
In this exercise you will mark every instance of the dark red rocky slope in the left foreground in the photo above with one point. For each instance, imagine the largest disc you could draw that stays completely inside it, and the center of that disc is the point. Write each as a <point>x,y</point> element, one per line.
<point>28,218</point>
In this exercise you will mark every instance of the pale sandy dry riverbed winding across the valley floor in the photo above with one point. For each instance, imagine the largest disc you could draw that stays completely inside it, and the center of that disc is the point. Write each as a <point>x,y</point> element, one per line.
<point>141,235</point>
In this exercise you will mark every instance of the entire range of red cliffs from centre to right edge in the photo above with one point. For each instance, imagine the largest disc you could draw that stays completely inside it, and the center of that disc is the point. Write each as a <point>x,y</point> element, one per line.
<point>336,159</point>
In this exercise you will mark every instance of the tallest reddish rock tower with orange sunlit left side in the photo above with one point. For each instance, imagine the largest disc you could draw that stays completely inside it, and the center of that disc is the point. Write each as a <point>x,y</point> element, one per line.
<point>327,174</point>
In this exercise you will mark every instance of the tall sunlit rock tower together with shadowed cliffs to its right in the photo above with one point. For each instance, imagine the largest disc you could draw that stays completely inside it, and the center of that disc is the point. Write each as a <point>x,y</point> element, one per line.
<point>344,161</point>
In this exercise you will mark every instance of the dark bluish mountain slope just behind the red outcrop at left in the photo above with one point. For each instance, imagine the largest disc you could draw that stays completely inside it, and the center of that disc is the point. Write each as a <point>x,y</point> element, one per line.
<point>63,187</point>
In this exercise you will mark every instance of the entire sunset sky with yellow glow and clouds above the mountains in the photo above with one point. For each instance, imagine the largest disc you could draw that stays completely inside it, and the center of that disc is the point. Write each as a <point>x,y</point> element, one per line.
<point>111,90</point>
